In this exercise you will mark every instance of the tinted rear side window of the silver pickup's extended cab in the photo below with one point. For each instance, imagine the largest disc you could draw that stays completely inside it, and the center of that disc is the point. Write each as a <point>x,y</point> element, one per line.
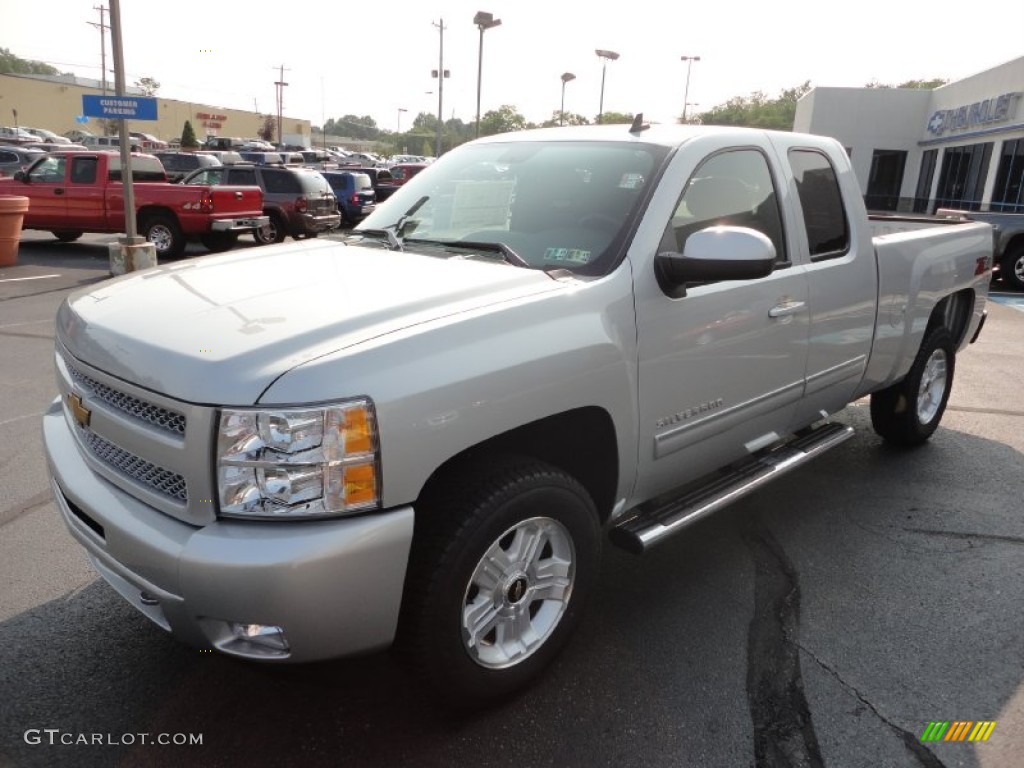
<point>825,216</point>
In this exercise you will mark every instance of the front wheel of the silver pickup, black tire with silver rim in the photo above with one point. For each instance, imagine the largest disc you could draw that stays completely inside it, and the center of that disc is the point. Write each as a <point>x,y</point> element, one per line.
<point>502,505</point>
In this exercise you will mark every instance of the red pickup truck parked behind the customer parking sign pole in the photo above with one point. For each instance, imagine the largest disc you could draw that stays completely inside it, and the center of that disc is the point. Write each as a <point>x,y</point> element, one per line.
<point>72,193</point>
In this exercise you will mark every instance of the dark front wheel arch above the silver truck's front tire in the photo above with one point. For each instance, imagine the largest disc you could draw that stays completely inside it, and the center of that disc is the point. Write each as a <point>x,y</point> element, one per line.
<point>582,443</point>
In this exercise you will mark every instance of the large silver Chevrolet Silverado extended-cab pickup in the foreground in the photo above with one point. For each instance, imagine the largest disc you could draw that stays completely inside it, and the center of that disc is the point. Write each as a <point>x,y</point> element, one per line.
<point>421,434</point>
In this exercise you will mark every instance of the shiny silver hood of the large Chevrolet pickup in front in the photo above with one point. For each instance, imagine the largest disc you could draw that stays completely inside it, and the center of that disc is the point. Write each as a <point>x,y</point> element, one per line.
<point>219,330</point>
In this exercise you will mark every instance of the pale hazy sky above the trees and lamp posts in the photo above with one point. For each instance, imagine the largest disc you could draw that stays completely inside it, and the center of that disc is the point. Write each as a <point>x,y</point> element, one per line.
<point>376,58</point>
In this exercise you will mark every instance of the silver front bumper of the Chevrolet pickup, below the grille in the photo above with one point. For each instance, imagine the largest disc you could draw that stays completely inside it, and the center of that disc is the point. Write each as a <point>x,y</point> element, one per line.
<point>334,587</point>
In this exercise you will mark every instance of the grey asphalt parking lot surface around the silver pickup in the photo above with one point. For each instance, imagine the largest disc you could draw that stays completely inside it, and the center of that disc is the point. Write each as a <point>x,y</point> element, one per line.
<point>824,622</point>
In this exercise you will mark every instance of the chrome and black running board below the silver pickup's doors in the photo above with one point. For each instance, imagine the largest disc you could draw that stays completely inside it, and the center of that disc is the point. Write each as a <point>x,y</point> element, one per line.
<point>641,533</point>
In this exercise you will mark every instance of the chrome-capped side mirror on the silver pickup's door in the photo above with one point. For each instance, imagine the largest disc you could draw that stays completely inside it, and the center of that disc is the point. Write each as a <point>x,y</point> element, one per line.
<point>718,253</point>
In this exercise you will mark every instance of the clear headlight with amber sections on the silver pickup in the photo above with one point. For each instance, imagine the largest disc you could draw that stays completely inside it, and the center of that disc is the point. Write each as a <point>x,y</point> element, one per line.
<point>298,463</point>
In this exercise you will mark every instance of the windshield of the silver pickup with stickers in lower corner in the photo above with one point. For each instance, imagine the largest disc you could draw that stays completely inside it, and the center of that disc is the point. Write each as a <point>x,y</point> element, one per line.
<point>556,204</point>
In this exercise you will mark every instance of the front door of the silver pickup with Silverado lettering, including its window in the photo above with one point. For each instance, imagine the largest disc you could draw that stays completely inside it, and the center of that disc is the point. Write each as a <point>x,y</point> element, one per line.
<point>722,364</point>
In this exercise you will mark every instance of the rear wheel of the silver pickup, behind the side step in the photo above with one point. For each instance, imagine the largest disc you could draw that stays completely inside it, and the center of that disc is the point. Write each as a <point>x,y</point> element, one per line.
<point>907,414</point>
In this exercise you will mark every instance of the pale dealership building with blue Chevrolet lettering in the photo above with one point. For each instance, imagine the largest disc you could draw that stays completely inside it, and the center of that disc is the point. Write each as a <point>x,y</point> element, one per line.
<point>961,146</point>
